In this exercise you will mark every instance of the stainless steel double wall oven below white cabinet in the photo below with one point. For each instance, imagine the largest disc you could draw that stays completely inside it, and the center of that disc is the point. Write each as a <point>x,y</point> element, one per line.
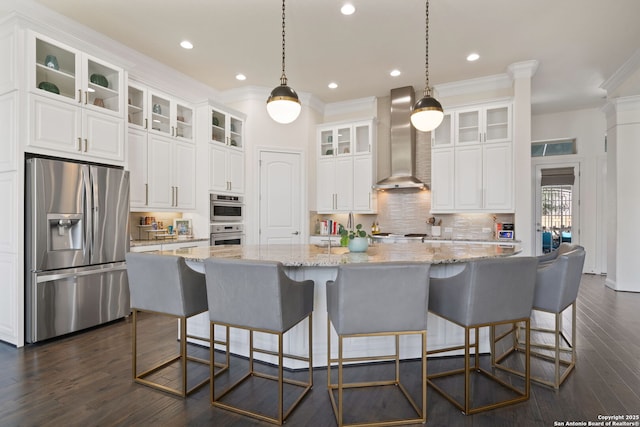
<point>226,216</point>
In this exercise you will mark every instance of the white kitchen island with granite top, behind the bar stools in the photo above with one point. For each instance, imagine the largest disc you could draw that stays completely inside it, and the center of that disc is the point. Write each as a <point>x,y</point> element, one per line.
<point>320,263</point>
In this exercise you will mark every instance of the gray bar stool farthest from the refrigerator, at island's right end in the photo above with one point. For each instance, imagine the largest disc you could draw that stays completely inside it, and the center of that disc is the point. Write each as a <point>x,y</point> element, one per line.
<point>556,290</point>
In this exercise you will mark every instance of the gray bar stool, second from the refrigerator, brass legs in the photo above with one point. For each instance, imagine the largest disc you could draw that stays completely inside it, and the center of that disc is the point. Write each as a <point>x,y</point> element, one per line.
<point>258,296</point>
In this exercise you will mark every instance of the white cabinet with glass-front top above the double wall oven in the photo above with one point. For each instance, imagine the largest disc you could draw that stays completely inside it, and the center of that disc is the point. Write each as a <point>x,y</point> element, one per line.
<point>226,156</point>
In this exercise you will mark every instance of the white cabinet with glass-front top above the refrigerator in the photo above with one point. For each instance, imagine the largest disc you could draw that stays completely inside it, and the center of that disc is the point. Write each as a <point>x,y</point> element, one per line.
<point>75,102</point>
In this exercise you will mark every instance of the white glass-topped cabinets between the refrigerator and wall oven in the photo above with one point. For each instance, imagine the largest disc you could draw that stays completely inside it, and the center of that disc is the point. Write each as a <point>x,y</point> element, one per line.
<point>162,154</point>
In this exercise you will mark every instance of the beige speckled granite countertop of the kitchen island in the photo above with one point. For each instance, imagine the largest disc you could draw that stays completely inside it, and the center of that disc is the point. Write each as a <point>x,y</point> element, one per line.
<point>316,256</point>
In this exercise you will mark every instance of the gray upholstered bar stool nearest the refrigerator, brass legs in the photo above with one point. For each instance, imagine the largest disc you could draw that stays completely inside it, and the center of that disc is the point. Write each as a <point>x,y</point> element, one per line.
<point>165,285</point>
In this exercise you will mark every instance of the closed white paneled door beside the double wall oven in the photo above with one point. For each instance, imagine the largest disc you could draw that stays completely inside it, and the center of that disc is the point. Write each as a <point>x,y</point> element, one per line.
<point>280,198</point>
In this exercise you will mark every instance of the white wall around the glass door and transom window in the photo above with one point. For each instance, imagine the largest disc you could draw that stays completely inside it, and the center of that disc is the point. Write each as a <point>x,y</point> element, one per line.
<point>588,127</point>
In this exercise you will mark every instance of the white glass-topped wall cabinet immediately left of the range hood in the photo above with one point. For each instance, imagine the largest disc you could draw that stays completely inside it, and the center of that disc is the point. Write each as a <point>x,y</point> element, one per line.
<point>345,168</point>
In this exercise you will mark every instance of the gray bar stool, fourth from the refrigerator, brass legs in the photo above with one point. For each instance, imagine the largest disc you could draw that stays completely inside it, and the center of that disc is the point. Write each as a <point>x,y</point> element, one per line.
<point>485,293</point>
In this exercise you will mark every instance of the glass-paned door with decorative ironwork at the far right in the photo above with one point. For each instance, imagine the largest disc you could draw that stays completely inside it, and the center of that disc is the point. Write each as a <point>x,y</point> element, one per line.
<point>557,205</point>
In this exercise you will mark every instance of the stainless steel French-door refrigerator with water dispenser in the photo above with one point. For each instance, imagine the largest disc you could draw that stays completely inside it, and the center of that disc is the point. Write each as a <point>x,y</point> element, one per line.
<point>76,237</point>
